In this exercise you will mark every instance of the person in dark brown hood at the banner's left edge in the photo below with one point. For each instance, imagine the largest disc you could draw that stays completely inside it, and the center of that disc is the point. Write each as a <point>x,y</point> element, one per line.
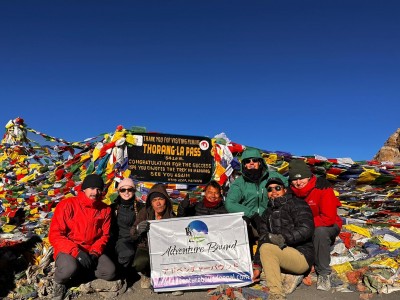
<point>158,206</point>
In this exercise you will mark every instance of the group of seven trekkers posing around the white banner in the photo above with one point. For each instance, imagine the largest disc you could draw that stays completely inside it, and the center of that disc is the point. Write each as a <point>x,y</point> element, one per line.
<point>292,222</point>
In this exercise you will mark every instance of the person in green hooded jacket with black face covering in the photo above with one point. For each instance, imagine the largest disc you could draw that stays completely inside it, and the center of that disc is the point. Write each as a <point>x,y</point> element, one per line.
<point>248,194</point>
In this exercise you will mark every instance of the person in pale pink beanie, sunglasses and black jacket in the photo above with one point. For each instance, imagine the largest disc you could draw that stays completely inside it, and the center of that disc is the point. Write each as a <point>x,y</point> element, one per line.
<point>124,212</point>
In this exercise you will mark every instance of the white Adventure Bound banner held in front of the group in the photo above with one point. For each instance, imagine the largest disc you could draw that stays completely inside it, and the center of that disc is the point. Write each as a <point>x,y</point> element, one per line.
<point>199,252</point>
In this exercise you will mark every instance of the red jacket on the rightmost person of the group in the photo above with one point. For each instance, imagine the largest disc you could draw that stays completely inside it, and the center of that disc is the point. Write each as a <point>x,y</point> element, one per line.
<point>322,201</point>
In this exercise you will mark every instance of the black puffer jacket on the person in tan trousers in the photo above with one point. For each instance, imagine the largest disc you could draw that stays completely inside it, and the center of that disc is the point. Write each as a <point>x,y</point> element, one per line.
<point>291,217</point>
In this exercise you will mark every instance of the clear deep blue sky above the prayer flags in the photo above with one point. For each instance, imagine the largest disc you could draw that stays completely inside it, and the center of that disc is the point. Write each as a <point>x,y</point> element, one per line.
<point>306,77</point>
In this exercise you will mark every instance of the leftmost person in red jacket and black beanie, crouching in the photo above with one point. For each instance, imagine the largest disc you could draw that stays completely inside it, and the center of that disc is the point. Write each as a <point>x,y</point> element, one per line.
<point>79,232</point>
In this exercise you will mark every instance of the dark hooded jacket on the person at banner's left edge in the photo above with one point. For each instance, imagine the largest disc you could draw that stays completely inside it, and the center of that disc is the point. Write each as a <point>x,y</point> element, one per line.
<point>148,213</point>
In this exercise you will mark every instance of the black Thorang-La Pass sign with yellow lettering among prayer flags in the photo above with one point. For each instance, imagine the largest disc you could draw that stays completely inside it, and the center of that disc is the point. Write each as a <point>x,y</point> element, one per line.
<point>171,158</point>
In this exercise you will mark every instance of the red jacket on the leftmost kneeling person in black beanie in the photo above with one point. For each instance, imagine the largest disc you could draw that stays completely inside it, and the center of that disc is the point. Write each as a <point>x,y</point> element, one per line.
<point>79,223</point>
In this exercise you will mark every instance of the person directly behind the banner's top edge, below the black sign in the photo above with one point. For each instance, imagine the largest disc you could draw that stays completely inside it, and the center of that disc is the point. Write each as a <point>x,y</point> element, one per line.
<point>212,203</point>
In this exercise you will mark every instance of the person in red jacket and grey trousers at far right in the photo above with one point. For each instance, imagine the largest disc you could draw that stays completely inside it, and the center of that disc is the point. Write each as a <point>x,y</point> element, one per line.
<point>319,195</point>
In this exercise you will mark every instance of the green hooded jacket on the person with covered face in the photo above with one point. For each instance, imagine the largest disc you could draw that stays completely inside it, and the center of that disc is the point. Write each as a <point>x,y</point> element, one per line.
<point>249,196</point>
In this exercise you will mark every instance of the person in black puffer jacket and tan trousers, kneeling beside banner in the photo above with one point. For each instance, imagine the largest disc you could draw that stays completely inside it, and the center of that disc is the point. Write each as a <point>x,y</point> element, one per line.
<point>285,244</point>
